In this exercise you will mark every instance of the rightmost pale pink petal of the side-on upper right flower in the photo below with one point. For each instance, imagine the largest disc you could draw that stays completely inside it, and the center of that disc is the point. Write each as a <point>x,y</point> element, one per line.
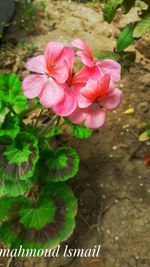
<point>111,67</point>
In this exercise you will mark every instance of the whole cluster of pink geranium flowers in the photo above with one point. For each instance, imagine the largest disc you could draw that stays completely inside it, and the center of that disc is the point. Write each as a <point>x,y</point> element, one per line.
<point>82,96</point>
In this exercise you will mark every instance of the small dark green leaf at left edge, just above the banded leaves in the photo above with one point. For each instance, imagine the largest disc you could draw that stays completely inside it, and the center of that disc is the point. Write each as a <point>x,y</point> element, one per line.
<point>10,126</point>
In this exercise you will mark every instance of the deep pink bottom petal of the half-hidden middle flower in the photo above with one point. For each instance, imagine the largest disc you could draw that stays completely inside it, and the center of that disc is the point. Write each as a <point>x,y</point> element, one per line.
<point>67,105</point>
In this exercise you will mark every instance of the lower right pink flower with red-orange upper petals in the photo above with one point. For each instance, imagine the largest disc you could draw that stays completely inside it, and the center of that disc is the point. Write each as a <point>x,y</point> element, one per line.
<point>95,96</point>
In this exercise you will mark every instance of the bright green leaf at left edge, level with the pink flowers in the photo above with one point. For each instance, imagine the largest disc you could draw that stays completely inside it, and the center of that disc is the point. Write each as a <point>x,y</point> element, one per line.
<point>11,91</point>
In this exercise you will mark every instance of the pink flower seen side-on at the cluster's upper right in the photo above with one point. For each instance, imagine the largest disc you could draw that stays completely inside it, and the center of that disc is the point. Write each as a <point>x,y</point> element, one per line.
<point>93,67</point>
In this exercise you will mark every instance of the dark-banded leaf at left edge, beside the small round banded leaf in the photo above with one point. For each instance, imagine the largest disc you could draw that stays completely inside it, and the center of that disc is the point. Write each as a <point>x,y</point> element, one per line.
<point>18,157</point>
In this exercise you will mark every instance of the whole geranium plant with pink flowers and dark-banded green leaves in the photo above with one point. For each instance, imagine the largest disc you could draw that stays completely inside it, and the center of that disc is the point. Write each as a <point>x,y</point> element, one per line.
<point>37,208</point>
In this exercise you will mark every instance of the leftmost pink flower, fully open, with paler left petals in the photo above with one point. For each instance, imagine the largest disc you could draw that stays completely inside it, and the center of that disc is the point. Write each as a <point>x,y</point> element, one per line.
<point>50,73</point>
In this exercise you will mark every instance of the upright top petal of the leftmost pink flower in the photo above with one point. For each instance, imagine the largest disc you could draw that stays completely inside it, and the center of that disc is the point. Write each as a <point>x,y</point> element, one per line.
<point>52,52</point>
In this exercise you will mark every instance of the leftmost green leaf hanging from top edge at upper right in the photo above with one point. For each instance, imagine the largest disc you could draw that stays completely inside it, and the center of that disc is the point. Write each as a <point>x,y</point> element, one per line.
<point>110,9</point>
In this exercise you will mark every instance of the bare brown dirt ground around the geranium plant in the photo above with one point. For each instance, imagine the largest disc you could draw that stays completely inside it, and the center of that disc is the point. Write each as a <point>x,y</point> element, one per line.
<point>113,183</point>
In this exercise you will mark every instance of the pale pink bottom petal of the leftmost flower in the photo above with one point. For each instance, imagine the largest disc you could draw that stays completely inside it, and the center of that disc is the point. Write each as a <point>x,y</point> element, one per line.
<point>52,94</point>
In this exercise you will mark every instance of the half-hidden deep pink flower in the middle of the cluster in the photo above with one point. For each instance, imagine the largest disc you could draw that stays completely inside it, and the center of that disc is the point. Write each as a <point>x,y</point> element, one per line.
<point>71,88</point>
